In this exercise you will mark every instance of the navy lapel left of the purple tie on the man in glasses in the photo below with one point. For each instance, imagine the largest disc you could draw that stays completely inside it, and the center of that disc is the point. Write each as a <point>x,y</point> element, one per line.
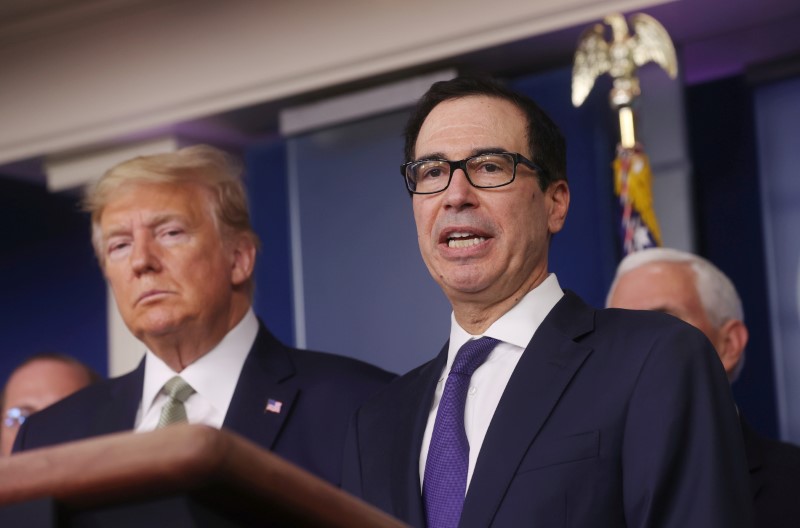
<point>412,409</point>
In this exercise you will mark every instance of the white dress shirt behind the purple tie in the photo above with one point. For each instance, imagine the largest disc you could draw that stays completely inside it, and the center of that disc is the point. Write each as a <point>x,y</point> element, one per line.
<point>514,330</point>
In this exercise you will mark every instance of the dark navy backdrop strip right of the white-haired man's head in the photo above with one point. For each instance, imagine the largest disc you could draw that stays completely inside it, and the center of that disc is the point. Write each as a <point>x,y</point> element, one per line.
<point>729,228</point>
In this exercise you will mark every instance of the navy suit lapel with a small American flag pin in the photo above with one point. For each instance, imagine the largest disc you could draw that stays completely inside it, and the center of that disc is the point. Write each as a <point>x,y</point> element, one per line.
<point>261,402</point>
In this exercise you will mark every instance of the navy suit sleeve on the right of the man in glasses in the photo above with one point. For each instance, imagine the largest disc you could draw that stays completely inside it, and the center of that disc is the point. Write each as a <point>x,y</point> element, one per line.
<point>683,457</point>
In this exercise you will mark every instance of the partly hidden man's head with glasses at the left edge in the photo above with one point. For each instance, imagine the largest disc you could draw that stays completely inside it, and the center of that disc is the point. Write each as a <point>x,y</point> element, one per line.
<point>36,383</point>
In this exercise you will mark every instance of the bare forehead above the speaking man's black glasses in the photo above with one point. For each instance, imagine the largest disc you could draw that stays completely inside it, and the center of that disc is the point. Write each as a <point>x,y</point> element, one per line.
<point>469,124</point>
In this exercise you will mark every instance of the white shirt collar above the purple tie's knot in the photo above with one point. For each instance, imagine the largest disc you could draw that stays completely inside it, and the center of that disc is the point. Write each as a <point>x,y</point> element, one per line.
<point>517,325</point>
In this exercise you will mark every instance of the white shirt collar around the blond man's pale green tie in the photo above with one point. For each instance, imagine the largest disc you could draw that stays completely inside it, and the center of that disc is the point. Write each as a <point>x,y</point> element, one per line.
<point>213,375</point>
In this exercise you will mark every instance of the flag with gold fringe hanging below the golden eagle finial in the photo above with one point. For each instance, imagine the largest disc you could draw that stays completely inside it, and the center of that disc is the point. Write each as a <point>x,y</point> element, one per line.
<point>633,185</point>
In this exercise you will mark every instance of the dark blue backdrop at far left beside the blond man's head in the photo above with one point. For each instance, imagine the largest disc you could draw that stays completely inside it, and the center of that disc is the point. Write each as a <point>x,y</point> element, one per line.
<point>53,295</point>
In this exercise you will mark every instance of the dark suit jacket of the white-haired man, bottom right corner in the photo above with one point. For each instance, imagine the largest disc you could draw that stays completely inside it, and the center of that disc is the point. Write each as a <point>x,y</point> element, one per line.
<point>774,479</point>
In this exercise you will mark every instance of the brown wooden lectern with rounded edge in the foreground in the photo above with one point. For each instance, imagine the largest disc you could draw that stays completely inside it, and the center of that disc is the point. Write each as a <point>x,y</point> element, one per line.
<point>183,475</point>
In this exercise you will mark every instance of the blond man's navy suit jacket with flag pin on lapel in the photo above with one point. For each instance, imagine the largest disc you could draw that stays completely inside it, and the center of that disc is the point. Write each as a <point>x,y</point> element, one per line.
<point>319,391</point>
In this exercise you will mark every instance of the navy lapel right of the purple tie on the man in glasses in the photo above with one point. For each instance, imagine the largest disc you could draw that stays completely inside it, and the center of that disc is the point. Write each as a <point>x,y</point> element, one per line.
<point>543,373</point>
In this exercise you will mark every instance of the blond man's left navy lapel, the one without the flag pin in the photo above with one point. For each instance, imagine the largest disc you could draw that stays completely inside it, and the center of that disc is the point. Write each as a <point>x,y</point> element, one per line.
<point>119,412</point>
